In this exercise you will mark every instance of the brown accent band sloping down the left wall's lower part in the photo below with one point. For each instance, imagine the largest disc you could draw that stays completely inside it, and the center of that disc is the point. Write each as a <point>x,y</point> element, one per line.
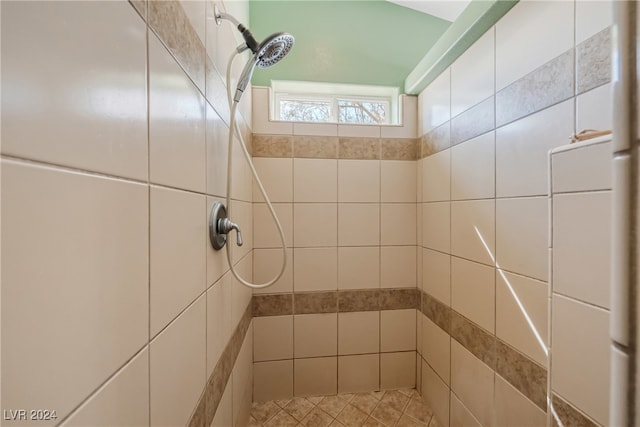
<point>210,399</point>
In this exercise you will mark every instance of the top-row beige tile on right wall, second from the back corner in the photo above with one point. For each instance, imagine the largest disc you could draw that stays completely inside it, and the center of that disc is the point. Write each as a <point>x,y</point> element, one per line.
<point>473,74</point>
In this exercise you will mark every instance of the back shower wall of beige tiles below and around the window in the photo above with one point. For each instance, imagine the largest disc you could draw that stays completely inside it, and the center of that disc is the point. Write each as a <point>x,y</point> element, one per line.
<point>342,318</point>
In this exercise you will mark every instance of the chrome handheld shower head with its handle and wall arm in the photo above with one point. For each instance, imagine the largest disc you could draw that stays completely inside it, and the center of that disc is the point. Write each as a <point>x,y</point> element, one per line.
<point>265,54</point>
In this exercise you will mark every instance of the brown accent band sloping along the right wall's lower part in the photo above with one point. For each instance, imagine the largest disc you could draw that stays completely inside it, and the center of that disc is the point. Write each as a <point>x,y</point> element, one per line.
<point>516,368</point>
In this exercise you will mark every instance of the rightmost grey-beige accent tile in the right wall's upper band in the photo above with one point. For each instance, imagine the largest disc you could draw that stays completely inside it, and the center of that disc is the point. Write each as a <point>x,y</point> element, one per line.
<point>593,61</point>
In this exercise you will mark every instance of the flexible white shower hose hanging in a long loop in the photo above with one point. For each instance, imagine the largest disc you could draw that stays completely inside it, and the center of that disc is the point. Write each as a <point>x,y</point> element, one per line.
<point>234,129</point>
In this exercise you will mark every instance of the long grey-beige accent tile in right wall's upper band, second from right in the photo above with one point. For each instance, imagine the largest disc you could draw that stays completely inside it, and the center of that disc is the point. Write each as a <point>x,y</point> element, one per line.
<point>549,84</point>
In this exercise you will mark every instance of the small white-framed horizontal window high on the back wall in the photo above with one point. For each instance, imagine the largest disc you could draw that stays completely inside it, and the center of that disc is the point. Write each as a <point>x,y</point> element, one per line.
<point>332,103</point>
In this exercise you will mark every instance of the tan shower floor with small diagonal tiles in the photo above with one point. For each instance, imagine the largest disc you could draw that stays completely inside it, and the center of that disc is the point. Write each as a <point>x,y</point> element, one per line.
<point>391,408</point>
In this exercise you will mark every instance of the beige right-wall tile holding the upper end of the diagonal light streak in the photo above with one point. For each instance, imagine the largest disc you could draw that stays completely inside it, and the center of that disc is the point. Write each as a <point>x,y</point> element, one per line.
<point>473,230</point>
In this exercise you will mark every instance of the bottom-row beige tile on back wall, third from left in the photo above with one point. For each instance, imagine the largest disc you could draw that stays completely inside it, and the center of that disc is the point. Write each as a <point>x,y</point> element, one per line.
<point>358,373</point>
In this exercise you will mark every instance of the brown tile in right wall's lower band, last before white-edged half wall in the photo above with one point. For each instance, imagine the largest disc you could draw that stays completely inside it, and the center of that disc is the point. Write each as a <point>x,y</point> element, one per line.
<point>522,373</point>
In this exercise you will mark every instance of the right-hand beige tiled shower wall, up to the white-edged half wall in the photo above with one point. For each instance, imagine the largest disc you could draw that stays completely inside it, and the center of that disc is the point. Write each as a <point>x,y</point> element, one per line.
<point>486,128</point>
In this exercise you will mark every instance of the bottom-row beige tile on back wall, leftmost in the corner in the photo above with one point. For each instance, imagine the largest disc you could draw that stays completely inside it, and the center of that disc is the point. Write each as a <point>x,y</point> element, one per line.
<point>272,380</point>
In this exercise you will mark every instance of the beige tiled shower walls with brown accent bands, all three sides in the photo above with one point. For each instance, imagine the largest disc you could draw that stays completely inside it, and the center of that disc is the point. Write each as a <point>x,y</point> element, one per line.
<point>420,255</point>
